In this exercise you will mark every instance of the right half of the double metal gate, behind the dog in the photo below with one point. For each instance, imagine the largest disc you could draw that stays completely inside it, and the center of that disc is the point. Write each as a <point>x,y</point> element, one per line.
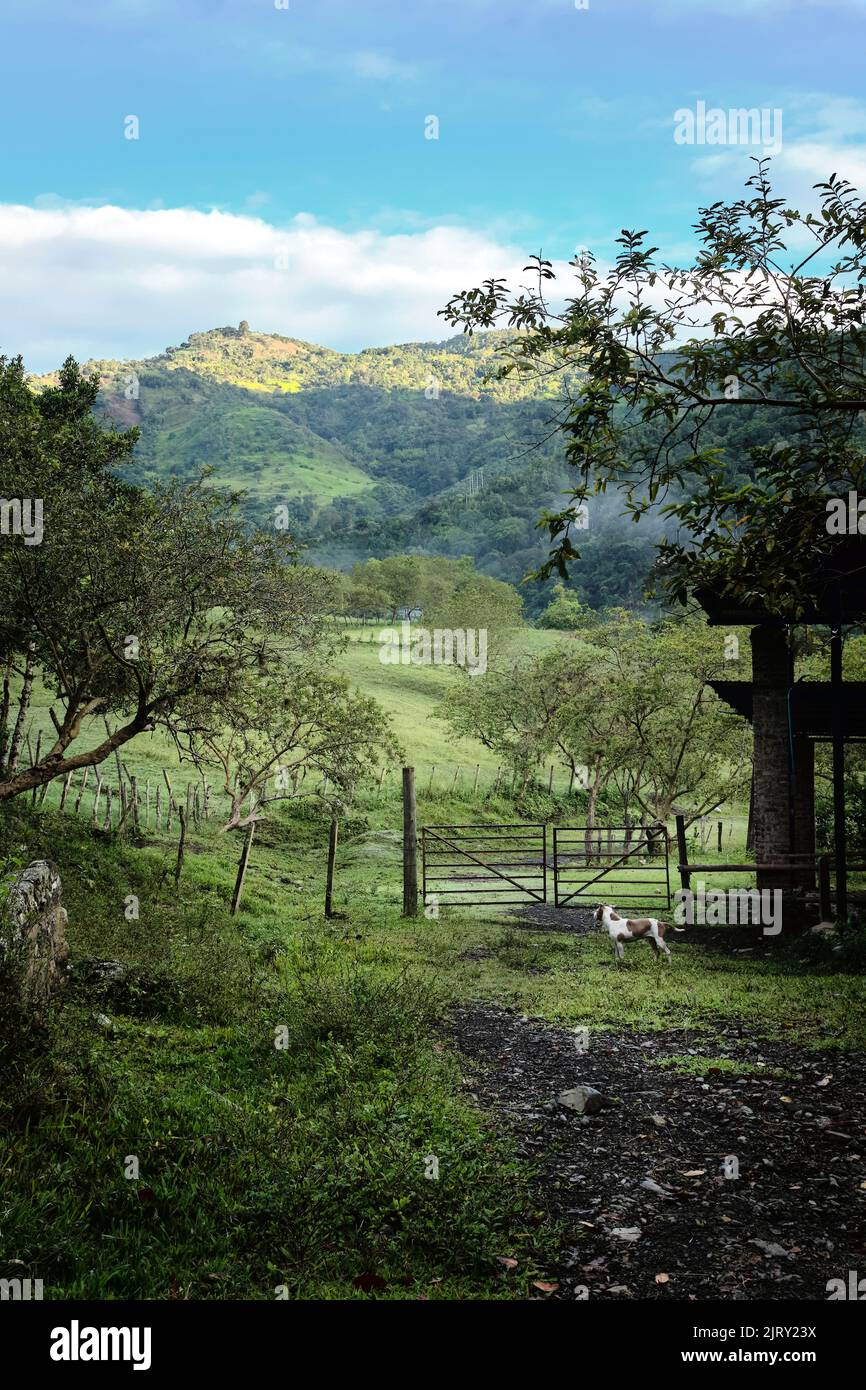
<point>605,865</point>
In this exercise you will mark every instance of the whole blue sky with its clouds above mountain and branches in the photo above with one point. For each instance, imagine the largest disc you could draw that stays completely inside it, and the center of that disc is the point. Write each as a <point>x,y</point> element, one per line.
<point>281,170</point>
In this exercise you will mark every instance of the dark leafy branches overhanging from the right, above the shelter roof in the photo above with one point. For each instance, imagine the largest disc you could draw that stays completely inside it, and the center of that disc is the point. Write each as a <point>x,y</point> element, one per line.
<point>768,325</point>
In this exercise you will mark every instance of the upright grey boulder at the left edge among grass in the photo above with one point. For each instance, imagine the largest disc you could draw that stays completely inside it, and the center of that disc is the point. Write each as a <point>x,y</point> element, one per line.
<point>34,950</point>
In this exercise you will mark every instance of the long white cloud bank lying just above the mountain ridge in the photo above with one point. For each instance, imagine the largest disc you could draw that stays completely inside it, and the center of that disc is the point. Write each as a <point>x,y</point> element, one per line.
<point>119,283</point>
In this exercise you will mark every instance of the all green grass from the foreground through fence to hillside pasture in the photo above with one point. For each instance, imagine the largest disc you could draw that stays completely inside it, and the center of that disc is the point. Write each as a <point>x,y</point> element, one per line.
<point>302,1167</point>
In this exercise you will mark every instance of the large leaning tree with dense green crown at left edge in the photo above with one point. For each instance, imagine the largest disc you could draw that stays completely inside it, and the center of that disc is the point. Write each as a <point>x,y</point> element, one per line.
<point>151,608</point>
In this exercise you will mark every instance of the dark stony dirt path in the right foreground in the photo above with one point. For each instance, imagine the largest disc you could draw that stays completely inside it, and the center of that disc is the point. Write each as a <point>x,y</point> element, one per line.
<point>793,1220</point>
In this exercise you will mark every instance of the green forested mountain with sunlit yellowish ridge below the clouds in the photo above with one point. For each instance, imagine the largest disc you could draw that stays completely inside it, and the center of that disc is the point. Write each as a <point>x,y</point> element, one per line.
<point>414,448</point>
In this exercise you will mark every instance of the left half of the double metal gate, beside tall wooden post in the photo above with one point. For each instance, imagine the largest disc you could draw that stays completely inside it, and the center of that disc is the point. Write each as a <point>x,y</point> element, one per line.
<point>473,867</point>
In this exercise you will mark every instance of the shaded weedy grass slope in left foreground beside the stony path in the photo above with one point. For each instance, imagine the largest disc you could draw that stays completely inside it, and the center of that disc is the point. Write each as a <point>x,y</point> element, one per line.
<point>241,1118</point>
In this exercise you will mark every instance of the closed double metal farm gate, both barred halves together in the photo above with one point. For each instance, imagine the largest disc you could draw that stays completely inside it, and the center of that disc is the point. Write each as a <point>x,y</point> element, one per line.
<point>507,865</point>
